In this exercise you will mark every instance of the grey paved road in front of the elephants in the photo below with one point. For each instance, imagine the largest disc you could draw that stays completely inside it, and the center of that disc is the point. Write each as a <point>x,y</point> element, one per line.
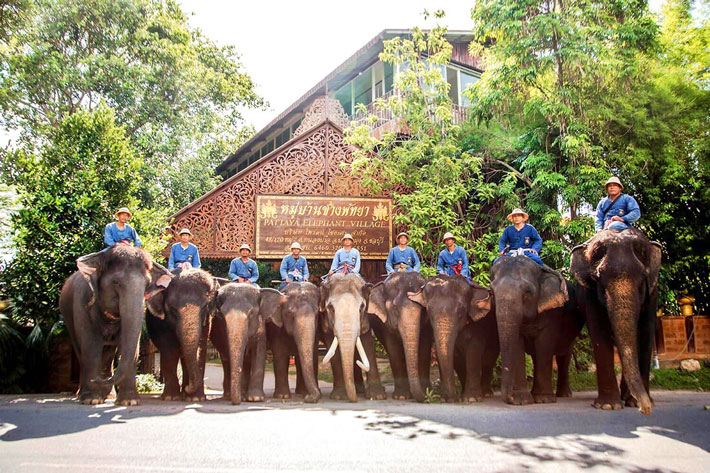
<point>52,433</point>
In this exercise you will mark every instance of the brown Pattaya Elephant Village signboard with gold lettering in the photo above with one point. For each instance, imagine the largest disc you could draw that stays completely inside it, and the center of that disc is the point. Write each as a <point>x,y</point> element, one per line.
<point>319,223</point>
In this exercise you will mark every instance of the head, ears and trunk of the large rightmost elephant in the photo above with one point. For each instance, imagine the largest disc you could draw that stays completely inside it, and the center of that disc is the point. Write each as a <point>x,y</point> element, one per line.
<point>621,269</point>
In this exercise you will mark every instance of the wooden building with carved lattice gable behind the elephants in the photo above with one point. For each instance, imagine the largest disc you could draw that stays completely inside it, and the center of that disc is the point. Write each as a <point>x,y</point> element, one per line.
<point>297,159</point>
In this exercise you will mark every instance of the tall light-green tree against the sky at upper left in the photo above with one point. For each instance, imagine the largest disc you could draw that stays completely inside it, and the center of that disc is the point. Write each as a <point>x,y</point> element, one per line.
<point>175,91</point>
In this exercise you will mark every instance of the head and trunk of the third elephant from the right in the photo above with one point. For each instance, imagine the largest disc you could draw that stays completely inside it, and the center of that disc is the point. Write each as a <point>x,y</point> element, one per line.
<point>450,301</point>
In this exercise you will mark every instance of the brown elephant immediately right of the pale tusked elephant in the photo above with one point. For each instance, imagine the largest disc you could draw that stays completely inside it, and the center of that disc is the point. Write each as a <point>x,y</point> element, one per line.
<point>401,325</point>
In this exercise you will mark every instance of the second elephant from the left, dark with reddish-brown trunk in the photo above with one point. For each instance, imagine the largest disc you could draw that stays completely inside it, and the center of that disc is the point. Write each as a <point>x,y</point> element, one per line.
<point>178,321</point>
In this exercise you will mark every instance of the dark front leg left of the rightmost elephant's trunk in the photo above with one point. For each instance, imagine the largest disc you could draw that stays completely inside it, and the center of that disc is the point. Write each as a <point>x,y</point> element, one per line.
<point>608,396</point>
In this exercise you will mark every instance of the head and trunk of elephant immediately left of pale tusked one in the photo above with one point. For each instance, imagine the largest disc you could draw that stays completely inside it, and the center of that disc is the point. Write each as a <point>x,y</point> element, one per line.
<point>297,309</point>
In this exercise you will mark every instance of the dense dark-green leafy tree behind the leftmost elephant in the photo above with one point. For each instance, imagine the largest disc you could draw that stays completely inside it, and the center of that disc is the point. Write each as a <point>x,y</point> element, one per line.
<point>68,193</point>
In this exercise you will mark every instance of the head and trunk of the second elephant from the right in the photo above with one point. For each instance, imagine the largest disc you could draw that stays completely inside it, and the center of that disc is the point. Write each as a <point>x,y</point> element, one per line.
<point>522,290</point>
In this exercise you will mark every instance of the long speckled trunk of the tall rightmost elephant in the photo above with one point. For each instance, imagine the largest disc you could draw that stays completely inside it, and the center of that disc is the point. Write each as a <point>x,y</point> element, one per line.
<point>623,308</point>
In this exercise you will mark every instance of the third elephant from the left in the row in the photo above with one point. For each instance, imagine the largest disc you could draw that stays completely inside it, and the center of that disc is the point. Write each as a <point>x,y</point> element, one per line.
<point>239,334</point>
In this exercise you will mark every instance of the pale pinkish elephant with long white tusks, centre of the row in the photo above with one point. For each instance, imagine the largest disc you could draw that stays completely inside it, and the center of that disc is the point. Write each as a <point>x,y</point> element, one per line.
<point>345,325</point>
